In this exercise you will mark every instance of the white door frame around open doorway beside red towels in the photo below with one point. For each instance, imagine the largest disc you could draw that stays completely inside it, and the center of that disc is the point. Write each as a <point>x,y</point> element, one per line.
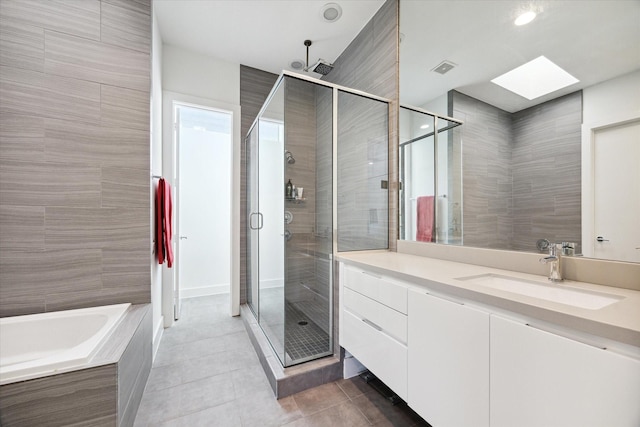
<point>170,171</point>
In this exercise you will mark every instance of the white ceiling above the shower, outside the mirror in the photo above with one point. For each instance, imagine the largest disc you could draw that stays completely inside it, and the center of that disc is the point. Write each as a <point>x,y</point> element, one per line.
<point>264,34</point>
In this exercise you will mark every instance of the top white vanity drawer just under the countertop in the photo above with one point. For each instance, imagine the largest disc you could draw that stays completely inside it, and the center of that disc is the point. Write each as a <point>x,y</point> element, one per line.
<point>375,287</point>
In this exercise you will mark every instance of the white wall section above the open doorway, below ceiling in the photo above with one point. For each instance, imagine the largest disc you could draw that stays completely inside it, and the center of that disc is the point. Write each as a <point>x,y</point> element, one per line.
<point>191,73</point>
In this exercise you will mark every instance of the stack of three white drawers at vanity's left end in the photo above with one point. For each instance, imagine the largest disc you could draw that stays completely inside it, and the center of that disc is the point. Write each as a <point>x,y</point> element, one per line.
<point>373,325</point>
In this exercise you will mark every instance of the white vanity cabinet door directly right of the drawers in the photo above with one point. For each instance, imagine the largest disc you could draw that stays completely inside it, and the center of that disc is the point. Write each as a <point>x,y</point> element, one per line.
<point>448,347</point>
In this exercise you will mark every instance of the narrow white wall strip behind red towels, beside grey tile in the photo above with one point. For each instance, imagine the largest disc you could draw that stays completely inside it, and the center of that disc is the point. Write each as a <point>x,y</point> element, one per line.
<point>156,169</point>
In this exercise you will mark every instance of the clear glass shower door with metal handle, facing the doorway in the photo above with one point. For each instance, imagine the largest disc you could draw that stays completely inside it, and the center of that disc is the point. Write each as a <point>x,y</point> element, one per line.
<point>265,201</point>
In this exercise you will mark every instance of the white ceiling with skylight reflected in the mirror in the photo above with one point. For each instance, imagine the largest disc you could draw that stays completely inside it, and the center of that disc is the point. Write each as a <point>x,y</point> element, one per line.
<point>592,40</point>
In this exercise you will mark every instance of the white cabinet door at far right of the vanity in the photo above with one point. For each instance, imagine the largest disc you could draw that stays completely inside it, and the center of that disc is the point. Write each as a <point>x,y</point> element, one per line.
<point>542,379</point>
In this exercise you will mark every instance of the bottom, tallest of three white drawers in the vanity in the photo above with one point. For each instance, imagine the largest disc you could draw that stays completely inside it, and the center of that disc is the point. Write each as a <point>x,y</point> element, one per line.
<point>381,354</point>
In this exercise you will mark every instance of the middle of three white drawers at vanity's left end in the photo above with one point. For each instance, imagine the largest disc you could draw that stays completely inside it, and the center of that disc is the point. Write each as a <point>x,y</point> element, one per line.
<point>390,321</point>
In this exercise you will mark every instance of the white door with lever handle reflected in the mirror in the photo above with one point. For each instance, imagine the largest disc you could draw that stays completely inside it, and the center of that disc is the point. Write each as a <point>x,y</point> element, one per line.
<point>616,199</point>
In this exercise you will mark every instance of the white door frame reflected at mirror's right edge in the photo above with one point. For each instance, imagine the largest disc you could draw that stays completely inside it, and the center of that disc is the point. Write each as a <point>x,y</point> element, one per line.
<point>588,179</point>
